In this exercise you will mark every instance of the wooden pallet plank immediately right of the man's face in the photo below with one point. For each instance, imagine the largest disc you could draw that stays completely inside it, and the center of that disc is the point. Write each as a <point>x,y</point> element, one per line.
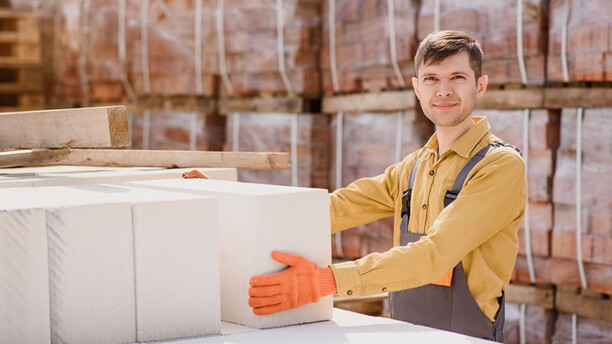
<point>511,99</point>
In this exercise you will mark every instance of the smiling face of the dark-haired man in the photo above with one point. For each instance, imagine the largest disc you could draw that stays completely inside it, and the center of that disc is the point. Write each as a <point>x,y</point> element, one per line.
<point>448,90</point>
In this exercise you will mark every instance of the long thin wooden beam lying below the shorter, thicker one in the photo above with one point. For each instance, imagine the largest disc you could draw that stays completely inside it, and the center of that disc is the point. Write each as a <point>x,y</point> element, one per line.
<point>145,158</point>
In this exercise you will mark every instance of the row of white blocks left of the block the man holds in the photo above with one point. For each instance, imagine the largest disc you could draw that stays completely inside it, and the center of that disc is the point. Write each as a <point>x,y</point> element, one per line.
<point>123,265</point>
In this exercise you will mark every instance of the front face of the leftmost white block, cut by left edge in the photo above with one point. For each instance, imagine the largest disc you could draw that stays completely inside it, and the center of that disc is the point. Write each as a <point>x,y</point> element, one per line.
<point>24,278</point>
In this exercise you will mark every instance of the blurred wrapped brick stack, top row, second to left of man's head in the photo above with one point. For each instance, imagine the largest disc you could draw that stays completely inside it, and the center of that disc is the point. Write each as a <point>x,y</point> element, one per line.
<point>252,43</point>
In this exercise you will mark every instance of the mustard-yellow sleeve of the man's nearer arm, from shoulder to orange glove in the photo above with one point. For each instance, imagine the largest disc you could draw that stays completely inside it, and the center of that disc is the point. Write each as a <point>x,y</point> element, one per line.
<point>492,199</point>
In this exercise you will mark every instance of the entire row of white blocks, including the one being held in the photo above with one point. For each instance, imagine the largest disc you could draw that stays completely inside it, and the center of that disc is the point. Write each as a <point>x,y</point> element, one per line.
<point>121,264</point>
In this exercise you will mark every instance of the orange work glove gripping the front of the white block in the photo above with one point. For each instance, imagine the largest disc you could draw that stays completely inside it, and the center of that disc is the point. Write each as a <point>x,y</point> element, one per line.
<point>302,283</point>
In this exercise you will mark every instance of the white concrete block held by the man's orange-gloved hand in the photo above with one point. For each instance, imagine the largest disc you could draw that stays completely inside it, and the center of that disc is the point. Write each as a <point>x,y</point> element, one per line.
<point>254,220</point>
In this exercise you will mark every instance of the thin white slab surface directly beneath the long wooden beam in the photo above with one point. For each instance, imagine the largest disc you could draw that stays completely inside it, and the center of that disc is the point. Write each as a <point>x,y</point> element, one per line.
<point>75,175</point>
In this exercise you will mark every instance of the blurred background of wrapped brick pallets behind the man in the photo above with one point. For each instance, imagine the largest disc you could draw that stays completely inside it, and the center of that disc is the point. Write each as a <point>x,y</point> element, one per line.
<point>307,77</point>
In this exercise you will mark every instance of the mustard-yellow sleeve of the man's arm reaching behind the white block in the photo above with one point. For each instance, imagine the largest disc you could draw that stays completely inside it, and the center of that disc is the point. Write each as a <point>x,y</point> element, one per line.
<point>367,199</point>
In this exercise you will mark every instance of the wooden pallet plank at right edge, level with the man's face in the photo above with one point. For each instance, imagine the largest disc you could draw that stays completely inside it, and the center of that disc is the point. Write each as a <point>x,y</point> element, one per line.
<point>556,98</point>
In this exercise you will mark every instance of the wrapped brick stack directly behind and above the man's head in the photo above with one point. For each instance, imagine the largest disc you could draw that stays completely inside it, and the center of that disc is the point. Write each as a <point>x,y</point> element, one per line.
<point>494,24</point>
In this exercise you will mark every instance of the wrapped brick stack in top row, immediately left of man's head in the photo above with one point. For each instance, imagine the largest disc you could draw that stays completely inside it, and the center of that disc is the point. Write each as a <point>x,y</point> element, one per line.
<point>363,48</point>
